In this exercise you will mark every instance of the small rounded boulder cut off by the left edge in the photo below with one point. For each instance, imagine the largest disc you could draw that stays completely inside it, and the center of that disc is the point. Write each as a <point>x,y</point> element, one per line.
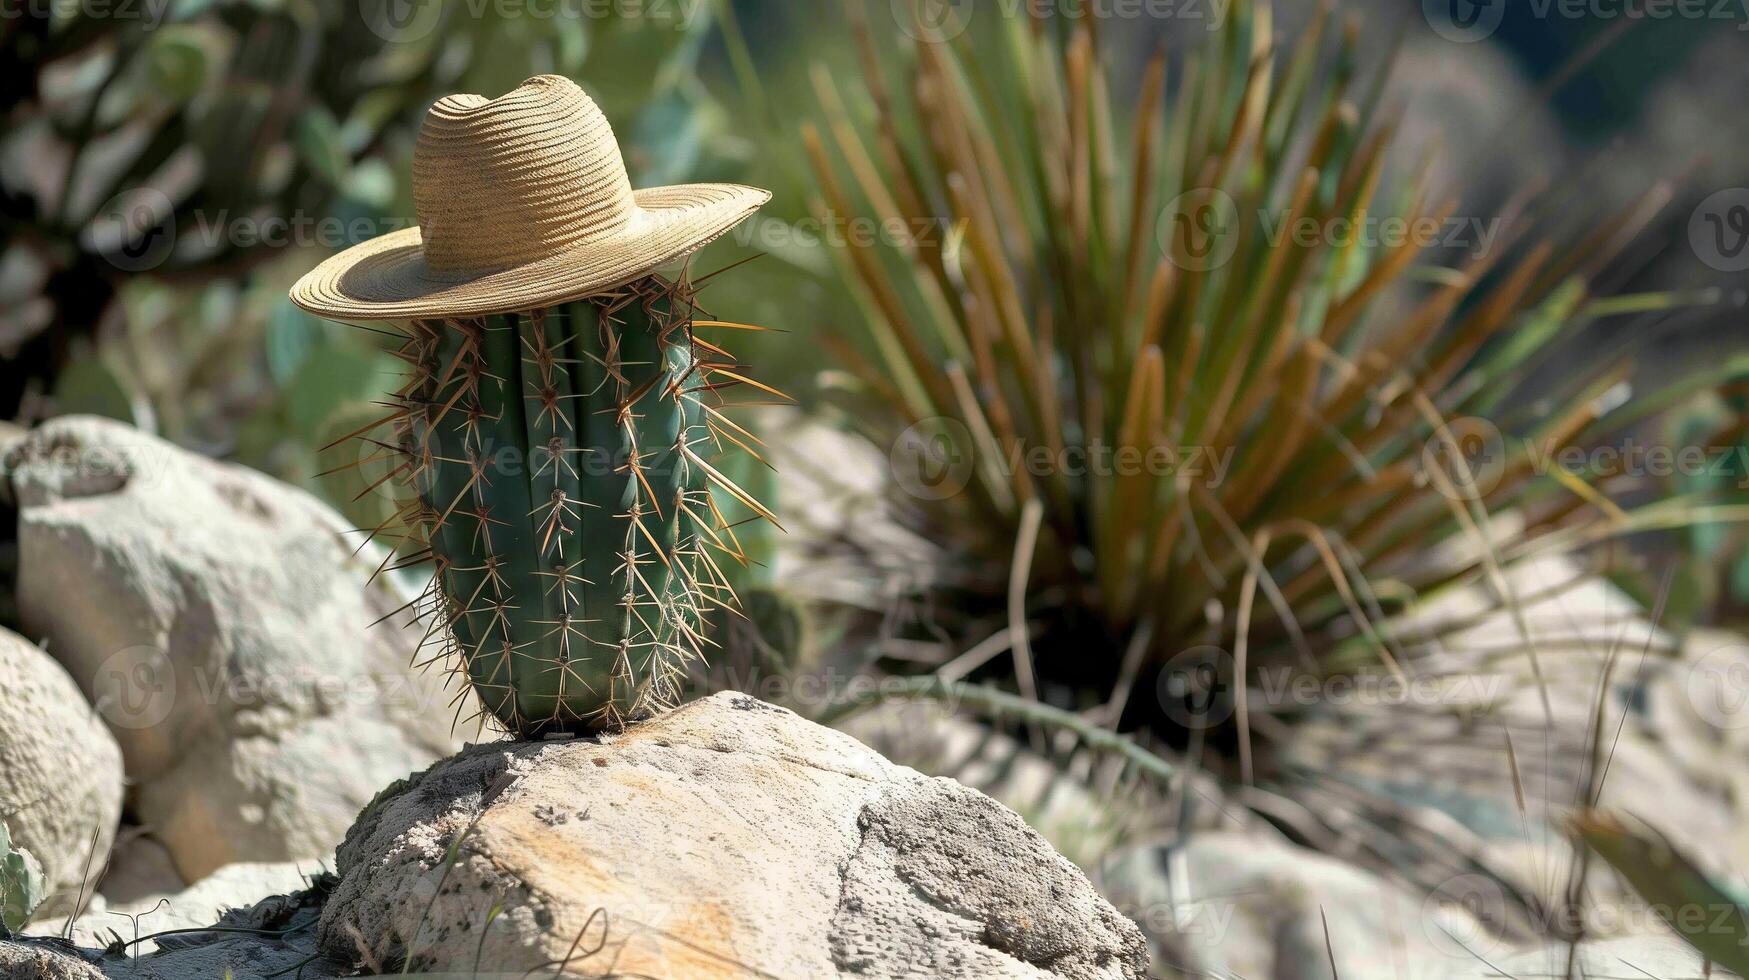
<point>60,773</point>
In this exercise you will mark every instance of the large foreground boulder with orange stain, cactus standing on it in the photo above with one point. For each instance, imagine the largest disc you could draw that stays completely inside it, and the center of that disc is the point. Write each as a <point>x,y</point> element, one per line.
<point>725,839</point>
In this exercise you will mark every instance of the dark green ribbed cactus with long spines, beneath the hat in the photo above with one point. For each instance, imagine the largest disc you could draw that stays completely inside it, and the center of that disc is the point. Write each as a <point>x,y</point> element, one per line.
<point>562,465</point>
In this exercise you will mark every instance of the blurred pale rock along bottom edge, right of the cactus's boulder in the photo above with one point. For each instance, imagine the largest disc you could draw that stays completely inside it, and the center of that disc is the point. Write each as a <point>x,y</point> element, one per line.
<point>1255,906</point>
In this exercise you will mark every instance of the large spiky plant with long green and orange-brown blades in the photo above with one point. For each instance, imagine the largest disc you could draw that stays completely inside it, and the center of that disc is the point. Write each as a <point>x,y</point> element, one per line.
<point>1132,286</point>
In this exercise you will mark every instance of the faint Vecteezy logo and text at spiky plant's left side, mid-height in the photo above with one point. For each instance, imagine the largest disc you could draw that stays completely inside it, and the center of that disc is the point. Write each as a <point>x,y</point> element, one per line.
<point>938,458</point>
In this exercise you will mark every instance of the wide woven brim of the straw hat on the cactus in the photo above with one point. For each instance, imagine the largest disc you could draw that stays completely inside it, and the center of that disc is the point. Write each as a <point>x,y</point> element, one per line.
<point>386,279</point>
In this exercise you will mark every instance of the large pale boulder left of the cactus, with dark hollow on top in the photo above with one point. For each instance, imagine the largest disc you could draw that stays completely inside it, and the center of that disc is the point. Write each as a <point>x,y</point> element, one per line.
<point>221,624</point>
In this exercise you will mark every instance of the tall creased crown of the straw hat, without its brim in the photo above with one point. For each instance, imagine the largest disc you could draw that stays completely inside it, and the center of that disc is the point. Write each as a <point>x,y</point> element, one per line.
<point>515,179</point>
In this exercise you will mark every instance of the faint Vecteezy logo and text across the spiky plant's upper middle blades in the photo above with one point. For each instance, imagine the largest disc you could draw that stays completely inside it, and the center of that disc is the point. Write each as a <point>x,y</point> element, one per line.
<point>1199,230</point>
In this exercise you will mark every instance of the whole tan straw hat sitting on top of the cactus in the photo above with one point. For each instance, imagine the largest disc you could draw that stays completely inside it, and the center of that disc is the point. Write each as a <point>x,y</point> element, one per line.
<point>524,202</point>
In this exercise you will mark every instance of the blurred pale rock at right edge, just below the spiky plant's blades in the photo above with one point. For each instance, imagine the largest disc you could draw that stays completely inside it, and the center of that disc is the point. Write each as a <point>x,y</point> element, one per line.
<point>1428,783</point>
